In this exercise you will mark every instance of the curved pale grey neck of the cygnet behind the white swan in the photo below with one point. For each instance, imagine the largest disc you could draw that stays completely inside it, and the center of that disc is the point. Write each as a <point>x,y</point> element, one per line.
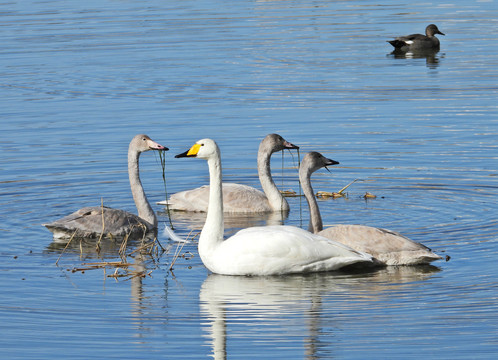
<point>275,199</point>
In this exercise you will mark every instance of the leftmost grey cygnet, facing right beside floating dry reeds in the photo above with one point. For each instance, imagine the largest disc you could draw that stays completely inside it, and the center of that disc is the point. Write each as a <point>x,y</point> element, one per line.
<point>87,222</point>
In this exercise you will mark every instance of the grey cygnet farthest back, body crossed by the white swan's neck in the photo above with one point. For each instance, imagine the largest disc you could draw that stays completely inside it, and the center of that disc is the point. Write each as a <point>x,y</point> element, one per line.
<point>238,198</point>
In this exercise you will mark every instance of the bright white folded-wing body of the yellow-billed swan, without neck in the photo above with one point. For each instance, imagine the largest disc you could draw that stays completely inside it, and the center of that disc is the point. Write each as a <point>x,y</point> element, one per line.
<point>274,250</point>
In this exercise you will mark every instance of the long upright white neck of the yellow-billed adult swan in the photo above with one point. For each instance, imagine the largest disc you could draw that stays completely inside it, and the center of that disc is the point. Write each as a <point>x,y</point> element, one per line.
<point>212,232</point>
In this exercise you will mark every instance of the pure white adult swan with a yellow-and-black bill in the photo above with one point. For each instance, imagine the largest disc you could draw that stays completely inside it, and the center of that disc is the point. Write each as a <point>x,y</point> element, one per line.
<point>270,250</point>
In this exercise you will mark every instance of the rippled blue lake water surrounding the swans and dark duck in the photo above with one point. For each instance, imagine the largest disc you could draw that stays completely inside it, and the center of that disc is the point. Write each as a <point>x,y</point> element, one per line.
<point>80,79</point>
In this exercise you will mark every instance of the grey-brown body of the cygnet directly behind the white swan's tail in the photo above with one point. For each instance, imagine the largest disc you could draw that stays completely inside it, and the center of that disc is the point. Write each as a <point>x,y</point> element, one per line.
<point>387,246</point>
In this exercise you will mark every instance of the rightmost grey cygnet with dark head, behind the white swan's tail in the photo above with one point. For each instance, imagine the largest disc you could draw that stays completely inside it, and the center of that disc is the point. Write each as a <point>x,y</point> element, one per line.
<point>386,246</point>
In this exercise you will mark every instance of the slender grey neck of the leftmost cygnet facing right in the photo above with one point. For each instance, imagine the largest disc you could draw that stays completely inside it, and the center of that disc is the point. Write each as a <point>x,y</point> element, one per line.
<point>145,211</point>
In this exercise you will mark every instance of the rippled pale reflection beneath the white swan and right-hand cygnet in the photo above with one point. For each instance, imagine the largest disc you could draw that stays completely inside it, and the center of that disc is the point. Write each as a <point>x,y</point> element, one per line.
<point>274,305</point>
